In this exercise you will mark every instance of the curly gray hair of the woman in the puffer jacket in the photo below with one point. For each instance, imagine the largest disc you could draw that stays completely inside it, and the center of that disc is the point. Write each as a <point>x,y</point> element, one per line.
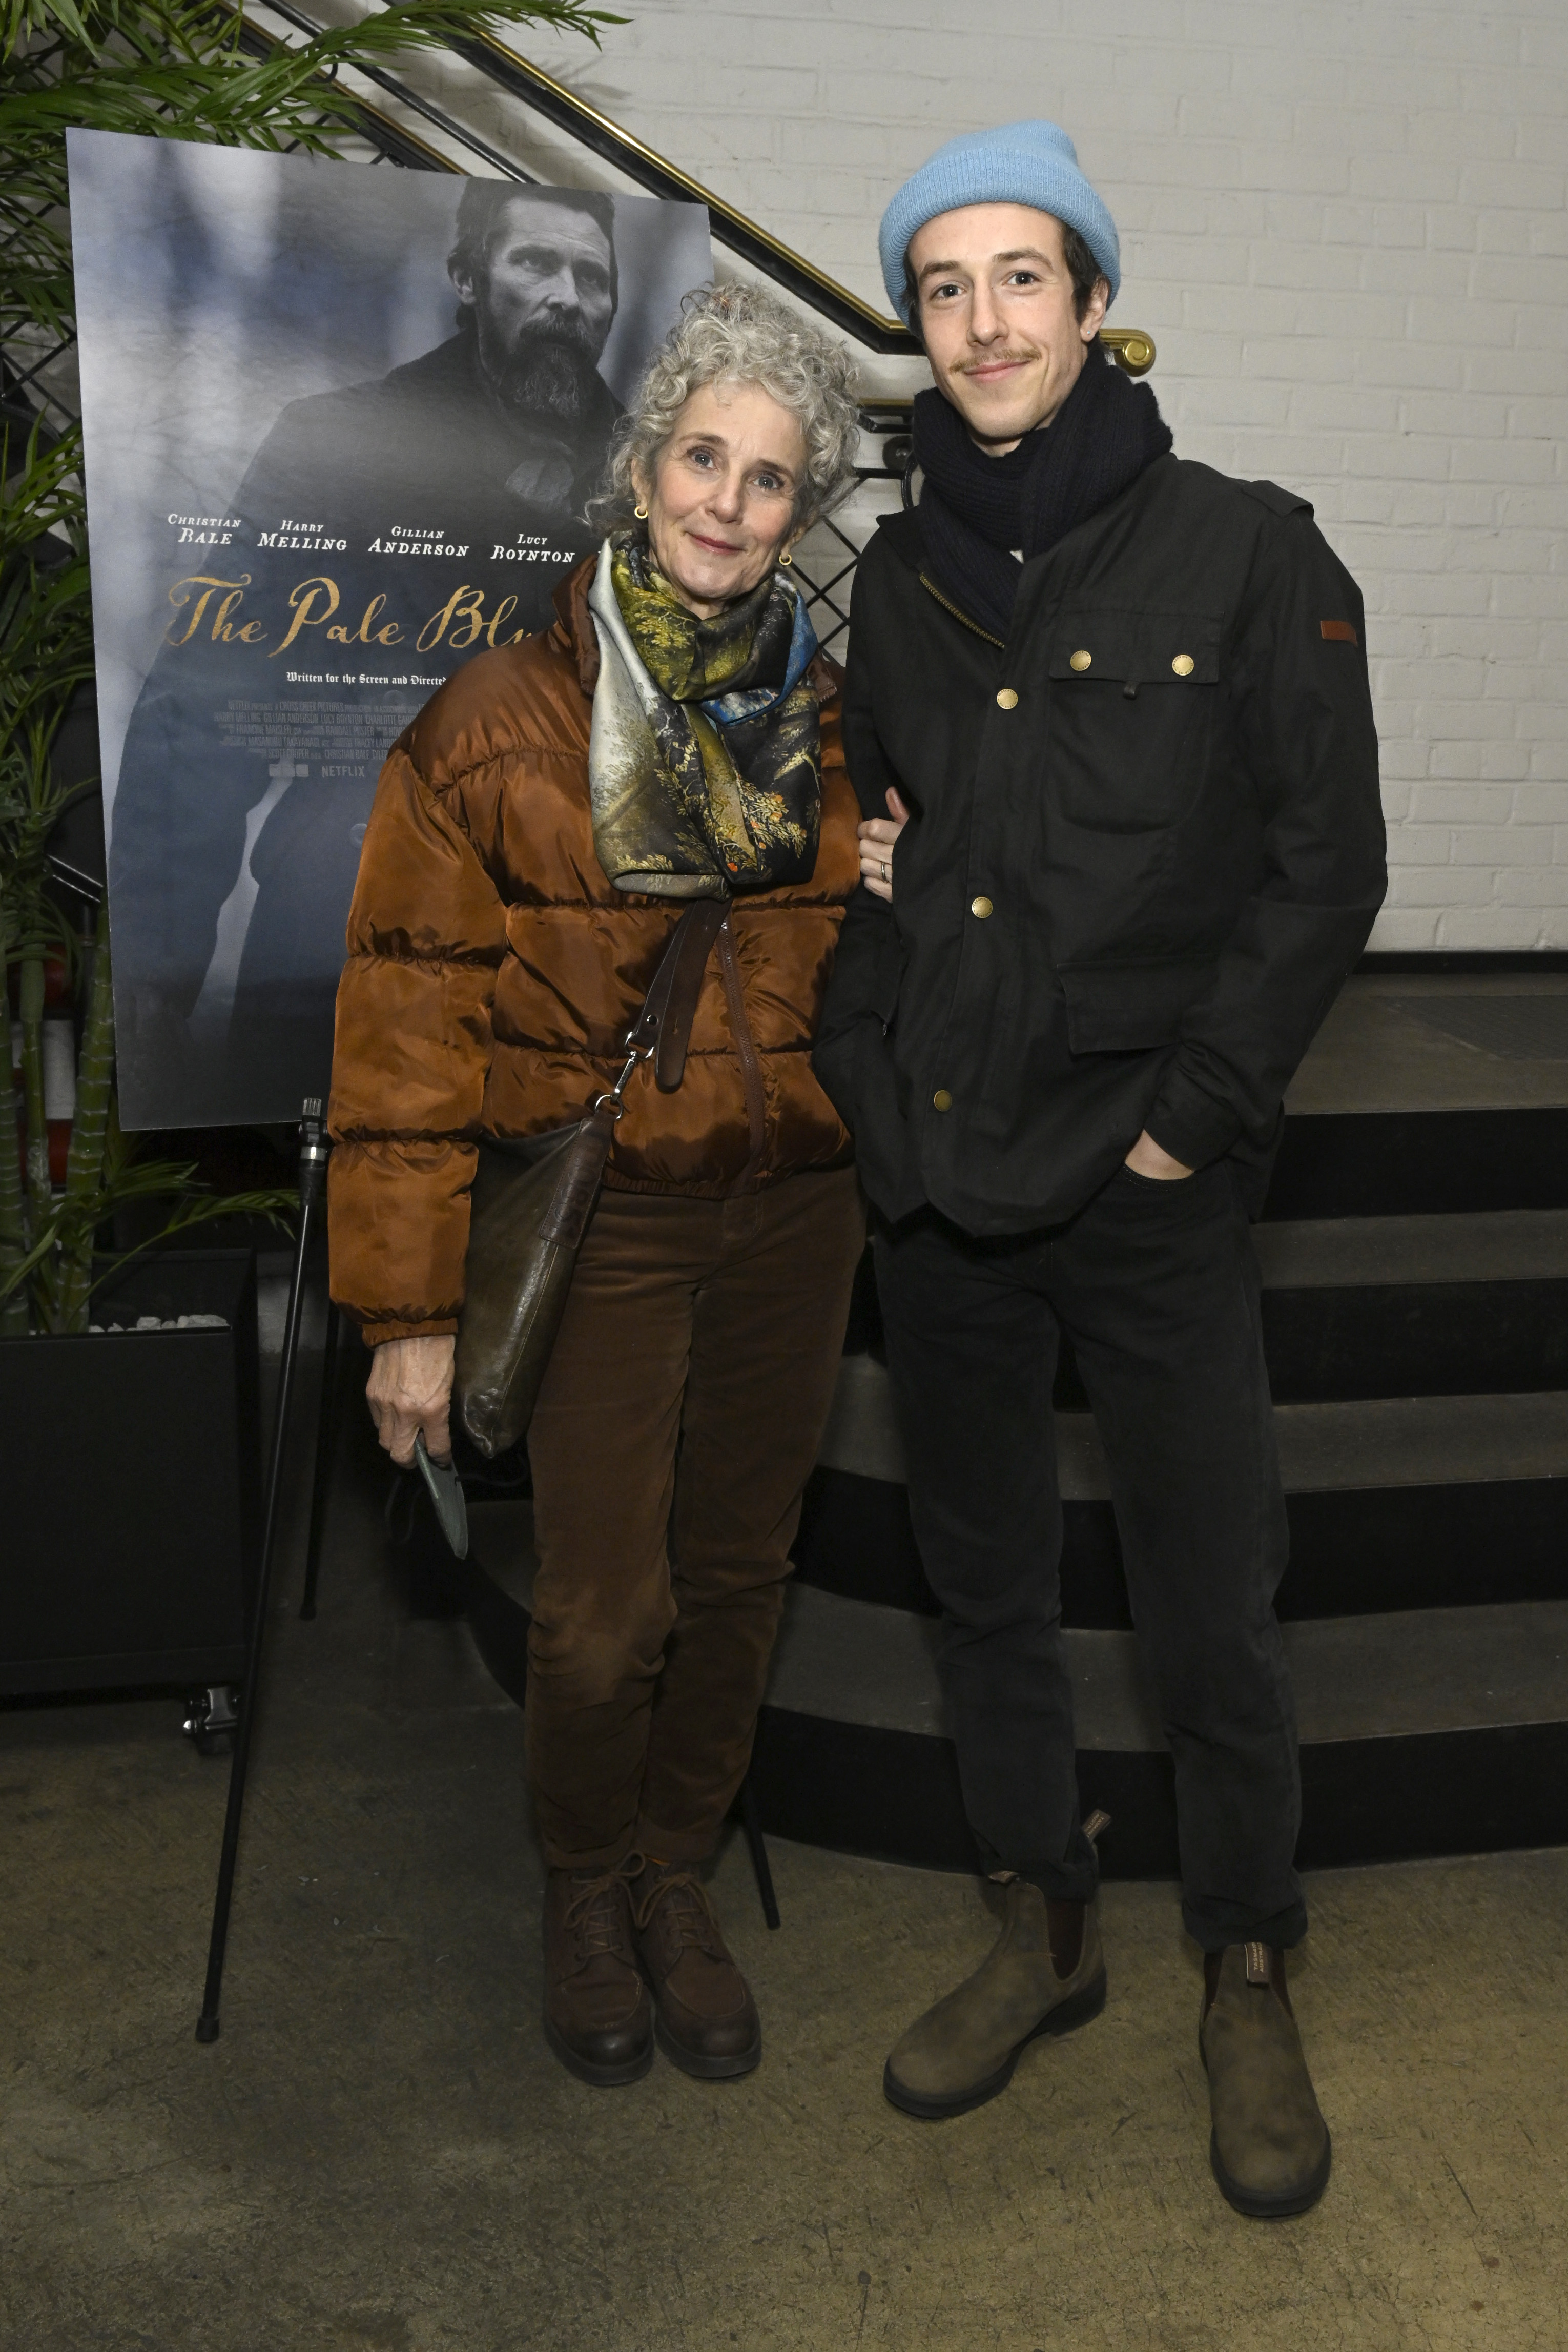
<point>742,335</point>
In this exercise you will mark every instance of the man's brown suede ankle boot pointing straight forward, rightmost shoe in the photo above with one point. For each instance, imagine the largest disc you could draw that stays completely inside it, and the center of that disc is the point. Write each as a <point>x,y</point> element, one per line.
<point>1271,2144</point>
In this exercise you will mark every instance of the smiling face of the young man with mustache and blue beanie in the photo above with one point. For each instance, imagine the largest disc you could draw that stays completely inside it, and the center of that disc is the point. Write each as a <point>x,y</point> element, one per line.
<point>998,316</point>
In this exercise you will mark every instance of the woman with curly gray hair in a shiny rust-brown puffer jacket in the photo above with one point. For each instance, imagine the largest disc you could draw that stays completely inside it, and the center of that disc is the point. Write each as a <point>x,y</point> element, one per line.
<point>540,831</point>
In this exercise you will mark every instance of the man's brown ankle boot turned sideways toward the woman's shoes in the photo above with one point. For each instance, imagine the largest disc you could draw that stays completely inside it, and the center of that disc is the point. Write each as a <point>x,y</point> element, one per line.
<point>1045,1977</point>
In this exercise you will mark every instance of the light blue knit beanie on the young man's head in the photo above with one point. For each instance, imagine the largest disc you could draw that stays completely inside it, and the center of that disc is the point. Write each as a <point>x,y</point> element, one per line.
<point>1021,163</point>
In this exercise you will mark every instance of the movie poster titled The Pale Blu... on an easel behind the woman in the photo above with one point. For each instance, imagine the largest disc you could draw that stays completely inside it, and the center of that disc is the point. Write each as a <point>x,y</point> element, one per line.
<point>342,427</point>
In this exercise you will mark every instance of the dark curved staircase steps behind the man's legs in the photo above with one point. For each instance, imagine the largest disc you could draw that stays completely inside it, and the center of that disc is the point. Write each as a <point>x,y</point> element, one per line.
<point>1416,1323</point>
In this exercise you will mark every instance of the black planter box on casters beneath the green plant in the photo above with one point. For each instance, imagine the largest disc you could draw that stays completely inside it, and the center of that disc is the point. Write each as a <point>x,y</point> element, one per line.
<point>130,1488</point>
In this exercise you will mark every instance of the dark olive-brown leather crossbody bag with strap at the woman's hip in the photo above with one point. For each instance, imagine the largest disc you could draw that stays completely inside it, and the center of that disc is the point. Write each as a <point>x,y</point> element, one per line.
<point>532,1201</point>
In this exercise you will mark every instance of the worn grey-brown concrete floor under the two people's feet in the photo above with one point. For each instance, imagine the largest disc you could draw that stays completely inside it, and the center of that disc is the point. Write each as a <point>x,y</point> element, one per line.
<point>380,2151</point>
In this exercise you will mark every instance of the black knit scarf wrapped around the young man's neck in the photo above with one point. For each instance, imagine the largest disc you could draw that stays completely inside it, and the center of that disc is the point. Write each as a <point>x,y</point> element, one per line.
<point>977,509</point>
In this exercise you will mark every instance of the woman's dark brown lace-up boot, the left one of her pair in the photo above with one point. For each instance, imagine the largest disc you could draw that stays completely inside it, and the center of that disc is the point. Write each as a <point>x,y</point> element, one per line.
<point>598,2014</point>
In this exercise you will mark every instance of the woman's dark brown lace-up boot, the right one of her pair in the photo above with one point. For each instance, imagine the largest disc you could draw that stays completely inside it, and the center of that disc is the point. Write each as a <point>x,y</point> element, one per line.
<point>704,2012</point>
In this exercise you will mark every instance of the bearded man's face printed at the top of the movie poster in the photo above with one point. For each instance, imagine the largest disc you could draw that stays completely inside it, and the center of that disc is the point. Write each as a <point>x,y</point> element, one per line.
<point>542,309</point>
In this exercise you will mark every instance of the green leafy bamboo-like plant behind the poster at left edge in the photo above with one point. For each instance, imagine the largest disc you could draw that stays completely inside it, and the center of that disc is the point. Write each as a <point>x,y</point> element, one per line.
<point>177,69</point>
